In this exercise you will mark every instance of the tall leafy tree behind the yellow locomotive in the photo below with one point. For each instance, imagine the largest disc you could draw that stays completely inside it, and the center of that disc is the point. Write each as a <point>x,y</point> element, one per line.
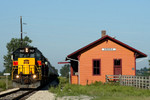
<point>14,44</point>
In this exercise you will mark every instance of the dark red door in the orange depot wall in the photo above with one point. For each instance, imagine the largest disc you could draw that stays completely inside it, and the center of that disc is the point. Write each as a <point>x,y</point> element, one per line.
<point>117,67</point>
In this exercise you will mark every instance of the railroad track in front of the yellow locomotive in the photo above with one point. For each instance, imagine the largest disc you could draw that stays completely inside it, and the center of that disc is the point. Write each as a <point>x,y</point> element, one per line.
<point>17,94</point>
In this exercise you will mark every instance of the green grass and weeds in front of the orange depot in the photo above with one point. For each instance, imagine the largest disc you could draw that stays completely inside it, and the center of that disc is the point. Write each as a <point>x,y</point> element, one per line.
<point>100,91</point>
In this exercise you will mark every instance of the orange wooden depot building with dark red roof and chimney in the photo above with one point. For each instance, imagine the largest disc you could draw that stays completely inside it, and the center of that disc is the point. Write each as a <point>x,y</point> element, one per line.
<point>105,56</point>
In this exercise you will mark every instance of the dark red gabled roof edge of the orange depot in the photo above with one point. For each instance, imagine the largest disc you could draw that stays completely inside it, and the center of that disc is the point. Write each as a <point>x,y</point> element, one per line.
<point>78,52</point>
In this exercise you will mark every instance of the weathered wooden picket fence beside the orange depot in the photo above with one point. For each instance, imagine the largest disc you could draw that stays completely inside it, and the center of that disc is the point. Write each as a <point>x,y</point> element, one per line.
<point>129,80</point>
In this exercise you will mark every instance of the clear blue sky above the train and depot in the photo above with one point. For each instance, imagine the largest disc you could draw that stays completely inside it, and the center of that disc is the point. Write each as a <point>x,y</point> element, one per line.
<point>60,27</point>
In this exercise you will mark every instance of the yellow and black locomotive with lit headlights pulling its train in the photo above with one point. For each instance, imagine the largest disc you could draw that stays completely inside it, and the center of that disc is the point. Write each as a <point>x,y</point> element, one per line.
<point>30,68</point>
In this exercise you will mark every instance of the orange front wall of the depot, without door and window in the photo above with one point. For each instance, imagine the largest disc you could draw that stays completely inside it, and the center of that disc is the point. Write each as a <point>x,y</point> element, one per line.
<point>107,62</point>
